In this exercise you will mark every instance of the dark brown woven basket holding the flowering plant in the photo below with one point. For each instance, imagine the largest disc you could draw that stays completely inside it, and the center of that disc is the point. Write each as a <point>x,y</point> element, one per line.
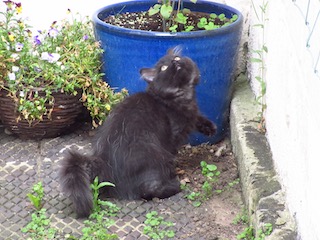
<point>65,111</point>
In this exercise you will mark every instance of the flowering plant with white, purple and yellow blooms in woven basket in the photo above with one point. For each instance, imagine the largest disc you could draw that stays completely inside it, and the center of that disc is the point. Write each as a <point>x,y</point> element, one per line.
<point>64,58</point>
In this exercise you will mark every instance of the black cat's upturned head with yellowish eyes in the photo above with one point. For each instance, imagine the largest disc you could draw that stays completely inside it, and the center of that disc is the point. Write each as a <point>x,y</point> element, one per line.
<point>174,76</point>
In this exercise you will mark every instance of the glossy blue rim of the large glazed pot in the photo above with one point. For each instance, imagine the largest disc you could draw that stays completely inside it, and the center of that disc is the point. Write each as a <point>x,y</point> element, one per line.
<point>142,33</point>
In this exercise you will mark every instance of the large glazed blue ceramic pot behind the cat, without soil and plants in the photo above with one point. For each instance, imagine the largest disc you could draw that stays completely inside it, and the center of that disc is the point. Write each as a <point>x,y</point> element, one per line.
<point>126,51</point>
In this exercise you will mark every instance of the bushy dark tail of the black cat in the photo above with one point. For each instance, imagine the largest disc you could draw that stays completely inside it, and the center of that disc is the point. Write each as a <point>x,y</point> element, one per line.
<point>76,174</point>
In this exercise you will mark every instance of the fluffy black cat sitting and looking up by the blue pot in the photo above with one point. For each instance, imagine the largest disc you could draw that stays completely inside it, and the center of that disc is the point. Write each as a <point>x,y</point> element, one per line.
<point>136,146</point>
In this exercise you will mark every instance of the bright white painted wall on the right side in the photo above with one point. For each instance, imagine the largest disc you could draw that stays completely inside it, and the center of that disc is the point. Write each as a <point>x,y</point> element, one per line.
<point>293,106</point>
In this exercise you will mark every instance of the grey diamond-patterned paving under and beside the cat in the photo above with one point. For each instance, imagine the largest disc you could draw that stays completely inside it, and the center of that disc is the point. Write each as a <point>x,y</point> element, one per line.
<point>25,162</point>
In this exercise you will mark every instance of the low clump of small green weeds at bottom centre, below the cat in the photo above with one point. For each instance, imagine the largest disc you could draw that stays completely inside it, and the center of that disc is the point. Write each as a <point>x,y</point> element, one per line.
<point>155,226</point>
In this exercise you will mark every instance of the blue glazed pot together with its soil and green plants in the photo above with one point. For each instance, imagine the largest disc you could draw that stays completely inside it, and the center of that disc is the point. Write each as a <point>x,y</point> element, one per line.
<point>135,34</point>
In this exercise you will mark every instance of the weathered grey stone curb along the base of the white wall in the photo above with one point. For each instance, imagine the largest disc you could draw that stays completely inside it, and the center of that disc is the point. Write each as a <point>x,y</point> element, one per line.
<point>262,192</point>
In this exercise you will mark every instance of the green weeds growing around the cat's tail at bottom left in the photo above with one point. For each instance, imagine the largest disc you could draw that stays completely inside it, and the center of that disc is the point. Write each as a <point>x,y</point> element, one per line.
<point>96,226</point>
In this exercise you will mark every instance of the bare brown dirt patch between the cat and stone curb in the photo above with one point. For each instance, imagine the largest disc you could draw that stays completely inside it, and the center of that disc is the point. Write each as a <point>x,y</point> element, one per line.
<point>225,206</point>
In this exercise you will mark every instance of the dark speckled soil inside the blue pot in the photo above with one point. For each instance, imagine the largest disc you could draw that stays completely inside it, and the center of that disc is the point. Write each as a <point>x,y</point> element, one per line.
<point>143,21</point>
